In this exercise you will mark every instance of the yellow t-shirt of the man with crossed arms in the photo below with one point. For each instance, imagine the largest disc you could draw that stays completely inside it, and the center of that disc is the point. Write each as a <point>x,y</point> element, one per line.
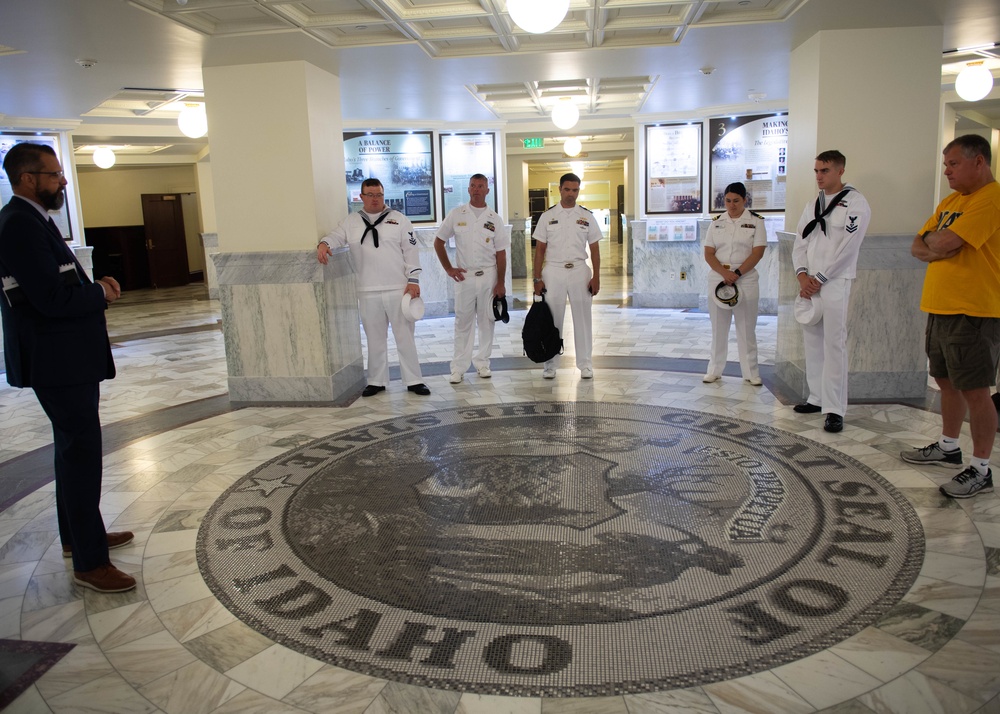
<point>968,283</point>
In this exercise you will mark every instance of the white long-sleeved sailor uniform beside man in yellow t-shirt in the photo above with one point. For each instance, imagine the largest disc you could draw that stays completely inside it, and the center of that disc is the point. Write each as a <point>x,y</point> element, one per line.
<point>831,256</point>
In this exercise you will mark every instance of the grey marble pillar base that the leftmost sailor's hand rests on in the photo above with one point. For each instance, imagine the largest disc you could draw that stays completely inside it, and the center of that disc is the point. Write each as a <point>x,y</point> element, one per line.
<point>291,327</point>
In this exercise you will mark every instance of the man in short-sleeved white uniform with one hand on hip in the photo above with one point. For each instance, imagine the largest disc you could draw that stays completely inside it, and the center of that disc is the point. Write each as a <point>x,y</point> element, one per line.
<point>479,272</point>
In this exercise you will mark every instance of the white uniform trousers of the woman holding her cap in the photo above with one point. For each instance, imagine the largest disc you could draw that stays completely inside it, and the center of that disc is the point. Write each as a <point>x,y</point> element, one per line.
<point>744,314</point>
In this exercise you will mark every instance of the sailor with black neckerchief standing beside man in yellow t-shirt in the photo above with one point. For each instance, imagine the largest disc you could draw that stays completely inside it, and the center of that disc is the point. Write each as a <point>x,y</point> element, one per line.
<point>825,257</point>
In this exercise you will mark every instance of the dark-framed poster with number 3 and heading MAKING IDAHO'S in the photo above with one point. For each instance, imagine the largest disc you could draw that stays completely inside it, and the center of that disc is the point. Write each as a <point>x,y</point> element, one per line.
<point>751,150</point>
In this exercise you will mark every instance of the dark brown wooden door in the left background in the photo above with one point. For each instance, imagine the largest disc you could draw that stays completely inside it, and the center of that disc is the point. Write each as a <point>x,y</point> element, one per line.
<point>166,245</point>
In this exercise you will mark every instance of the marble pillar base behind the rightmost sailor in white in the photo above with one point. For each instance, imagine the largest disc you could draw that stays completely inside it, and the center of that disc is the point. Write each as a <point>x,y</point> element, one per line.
<point>885,327</point>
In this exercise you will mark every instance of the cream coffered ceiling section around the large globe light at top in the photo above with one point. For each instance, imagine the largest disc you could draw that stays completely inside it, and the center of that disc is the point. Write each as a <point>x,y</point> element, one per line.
<point>464,28</point>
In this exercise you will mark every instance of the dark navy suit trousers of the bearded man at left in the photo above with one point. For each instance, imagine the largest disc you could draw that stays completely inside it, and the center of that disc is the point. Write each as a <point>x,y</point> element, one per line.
<point>76,436</point>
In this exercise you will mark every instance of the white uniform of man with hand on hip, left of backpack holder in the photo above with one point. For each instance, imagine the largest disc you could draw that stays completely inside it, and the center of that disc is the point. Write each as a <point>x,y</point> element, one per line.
<point>479,235</point>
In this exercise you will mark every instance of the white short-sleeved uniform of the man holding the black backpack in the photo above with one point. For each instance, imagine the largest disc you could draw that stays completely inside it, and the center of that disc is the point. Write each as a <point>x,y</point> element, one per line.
<point>567,233</point>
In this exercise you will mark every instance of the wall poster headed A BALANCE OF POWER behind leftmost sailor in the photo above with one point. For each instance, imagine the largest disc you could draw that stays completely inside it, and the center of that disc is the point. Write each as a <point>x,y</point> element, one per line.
<point>402,161</point>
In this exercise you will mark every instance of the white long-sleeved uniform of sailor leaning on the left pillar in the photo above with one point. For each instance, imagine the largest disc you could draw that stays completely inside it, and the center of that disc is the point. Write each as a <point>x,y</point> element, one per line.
<point>382,274</point>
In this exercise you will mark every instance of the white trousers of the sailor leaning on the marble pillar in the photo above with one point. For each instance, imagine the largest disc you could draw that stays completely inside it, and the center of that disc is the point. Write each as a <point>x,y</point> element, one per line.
<point>379,310</point>
